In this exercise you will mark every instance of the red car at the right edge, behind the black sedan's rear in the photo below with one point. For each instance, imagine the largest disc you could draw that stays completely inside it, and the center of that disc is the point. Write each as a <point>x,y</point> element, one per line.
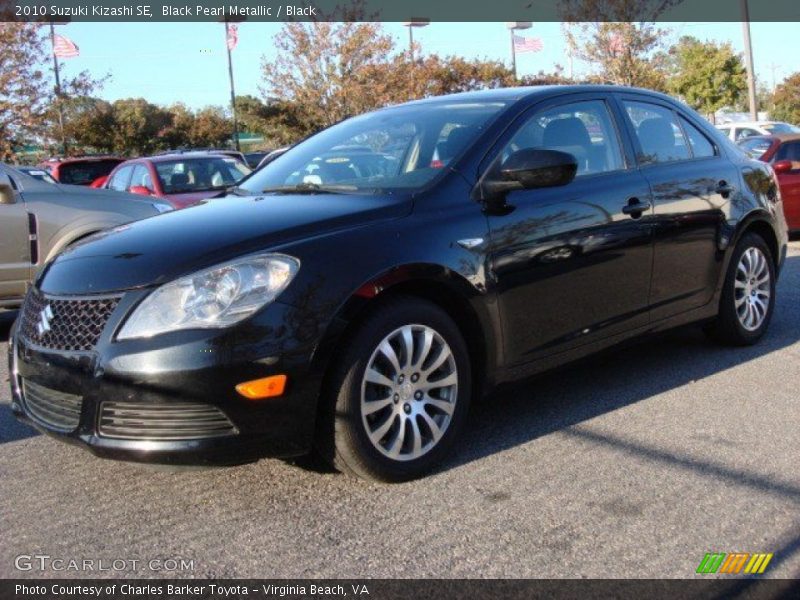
<point>782,151</point>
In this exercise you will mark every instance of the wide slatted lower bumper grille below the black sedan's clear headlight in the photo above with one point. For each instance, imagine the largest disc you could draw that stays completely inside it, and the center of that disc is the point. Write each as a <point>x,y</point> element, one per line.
<point>162,422</point>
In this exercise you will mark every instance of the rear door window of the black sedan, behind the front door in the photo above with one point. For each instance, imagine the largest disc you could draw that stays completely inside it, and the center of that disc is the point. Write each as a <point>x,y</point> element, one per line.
<point>660,138</point>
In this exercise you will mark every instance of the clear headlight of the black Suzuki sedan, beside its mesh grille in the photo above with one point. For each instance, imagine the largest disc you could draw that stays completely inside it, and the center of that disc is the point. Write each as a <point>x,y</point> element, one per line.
<point>214,298</point>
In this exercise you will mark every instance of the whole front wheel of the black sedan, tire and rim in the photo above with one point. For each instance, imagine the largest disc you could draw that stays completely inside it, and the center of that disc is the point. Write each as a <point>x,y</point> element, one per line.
<point>400,393</point>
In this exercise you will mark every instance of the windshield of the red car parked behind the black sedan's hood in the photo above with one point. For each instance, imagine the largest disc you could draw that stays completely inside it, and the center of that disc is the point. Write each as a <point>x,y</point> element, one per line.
<point>199,174</point>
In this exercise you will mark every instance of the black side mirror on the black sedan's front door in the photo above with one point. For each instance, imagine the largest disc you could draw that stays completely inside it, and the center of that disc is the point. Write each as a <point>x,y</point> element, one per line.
<point>529,168</point>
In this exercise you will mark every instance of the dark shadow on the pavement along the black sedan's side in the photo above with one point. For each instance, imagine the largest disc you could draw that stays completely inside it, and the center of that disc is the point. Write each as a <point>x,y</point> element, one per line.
<point>559,400</point>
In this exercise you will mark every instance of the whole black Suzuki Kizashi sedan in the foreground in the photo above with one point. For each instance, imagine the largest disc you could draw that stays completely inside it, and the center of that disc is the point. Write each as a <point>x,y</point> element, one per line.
<point>355,294</point>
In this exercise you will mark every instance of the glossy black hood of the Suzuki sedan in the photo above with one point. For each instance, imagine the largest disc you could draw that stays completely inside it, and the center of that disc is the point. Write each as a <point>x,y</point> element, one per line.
<point>160,249</point>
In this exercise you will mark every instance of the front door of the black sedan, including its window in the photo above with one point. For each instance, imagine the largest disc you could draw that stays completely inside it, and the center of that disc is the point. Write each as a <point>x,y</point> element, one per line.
<point>572,264</point>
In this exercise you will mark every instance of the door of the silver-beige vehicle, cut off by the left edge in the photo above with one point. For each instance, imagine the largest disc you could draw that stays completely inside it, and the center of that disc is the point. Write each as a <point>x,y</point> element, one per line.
<point>15,259</point>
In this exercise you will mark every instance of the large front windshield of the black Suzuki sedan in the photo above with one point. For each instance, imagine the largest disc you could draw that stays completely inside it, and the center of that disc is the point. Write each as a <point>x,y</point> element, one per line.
<point>401,148</point>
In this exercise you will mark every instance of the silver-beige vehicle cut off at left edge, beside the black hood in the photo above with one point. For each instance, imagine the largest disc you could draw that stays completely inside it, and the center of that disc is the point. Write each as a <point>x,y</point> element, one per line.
<point>38,220</point>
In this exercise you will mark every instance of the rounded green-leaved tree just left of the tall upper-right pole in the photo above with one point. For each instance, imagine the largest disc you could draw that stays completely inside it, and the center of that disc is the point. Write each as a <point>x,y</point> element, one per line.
<point>708,76</point>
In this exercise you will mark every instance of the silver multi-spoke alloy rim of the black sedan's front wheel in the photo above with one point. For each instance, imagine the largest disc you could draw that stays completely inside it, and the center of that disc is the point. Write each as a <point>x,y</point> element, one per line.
<point>409,392</point>
